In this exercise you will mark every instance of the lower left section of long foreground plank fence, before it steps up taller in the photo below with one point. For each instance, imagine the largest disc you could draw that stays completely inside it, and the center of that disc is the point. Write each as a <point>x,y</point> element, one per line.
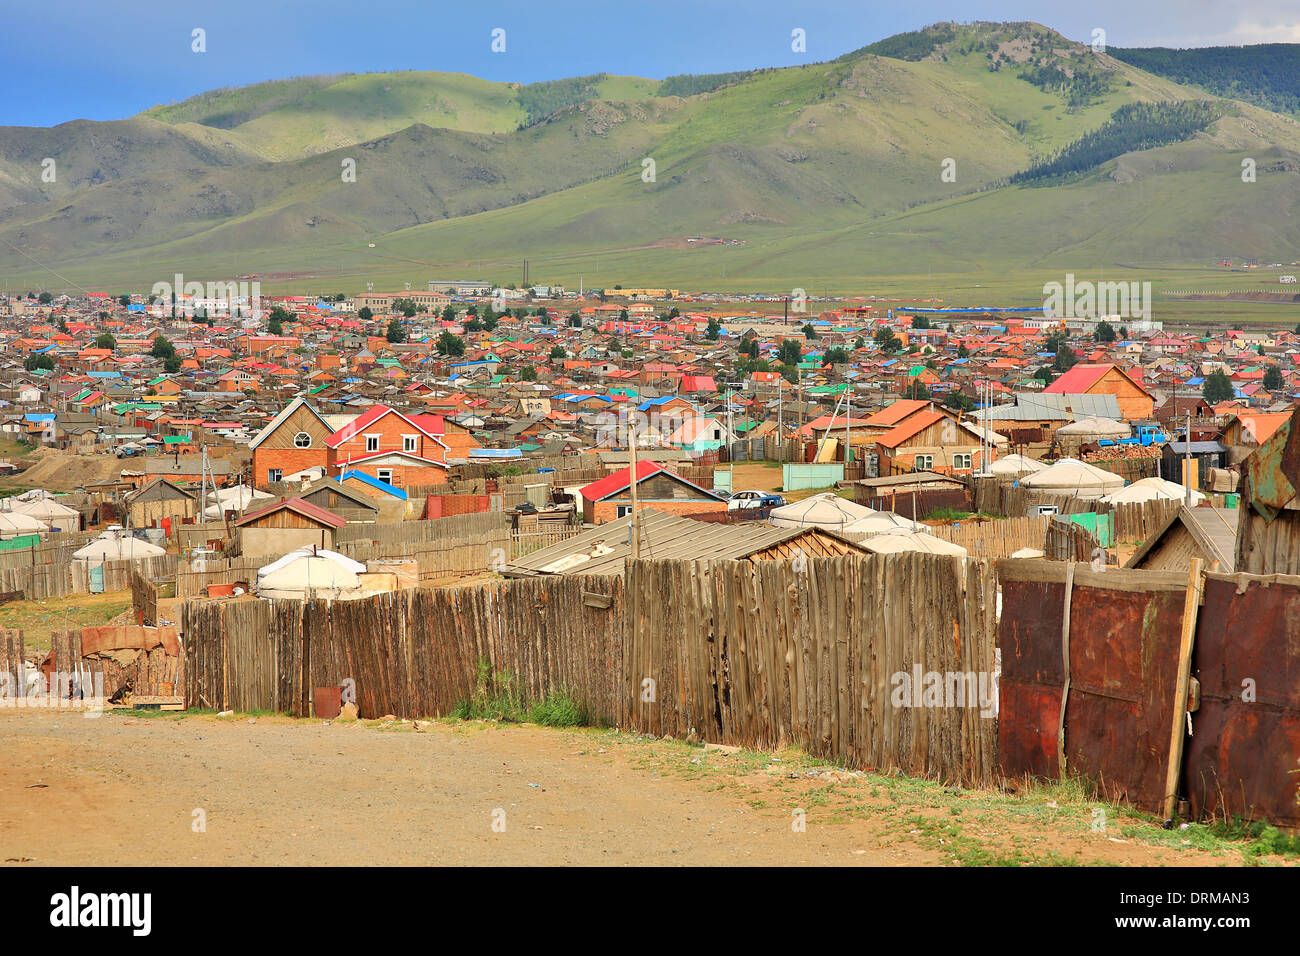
<point>410,654</point>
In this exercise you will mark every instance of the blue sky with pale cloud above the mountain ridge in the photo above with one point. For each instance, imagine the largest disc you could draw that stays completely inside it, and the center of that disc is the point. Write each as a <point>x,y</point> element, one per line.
<point>89,59</point>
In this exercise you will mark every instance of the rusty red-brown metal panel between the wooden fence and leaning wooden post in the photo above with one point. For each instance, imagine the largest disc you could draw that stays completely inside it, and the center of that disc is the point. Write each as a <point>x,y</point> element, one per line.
<point>1119,680</point>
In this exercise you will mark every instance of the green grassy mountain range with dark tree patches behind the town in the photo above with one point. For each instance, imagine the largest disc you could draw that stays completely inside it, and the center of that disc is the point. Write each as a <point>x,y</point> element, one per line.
<point>957,149</point>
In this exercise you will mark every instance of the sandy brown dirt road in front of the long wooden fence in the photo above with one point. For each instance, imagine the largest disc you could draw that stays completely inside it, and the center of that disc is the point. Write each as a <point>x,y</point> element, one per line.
<point>124,790</point>
